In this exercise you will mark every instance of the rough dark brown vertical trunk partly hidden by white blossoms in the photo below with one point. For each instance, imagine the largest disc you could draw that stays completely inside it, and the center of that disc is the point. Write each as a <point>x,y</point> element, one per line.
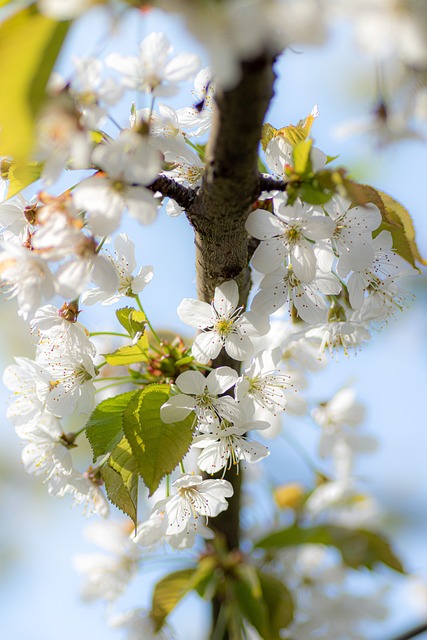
<point>218,214</point>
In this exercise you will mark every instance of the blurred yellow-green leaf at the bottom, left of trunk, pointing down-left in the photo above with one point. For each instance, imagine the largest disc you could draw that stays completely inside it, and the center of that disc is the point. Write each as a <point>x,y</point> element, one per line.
<point>168,592</point>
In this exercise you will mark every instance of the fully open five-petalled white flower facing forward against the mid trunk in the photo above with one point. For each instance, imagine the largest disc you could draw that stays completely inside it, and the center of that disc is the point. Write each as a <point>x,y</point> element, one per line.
<point>223,324</point>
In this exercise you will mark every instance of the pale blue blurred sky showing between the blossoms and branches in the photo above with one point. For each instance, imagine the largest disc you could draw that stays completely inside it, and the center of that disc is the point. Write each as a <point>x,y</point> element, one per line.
<point>39,590</point>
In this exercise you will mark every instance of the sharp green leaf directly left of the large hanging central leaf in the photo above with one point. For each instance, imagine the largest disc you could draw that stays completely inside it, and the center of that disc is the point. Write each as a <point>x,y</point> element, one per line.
<point>104,429</point>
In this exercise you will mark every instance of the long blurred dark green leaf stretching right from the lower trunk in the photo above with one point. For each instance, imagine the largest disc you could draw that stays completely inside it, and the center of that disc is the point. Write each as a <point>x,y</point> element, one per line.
<point>358,547</point>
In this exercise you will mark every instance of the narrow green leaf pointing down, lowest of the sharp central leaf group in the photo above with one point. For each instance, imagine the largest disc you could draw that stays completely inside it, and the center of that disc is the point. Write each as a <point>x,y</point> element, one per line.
<point>124,496</point>
